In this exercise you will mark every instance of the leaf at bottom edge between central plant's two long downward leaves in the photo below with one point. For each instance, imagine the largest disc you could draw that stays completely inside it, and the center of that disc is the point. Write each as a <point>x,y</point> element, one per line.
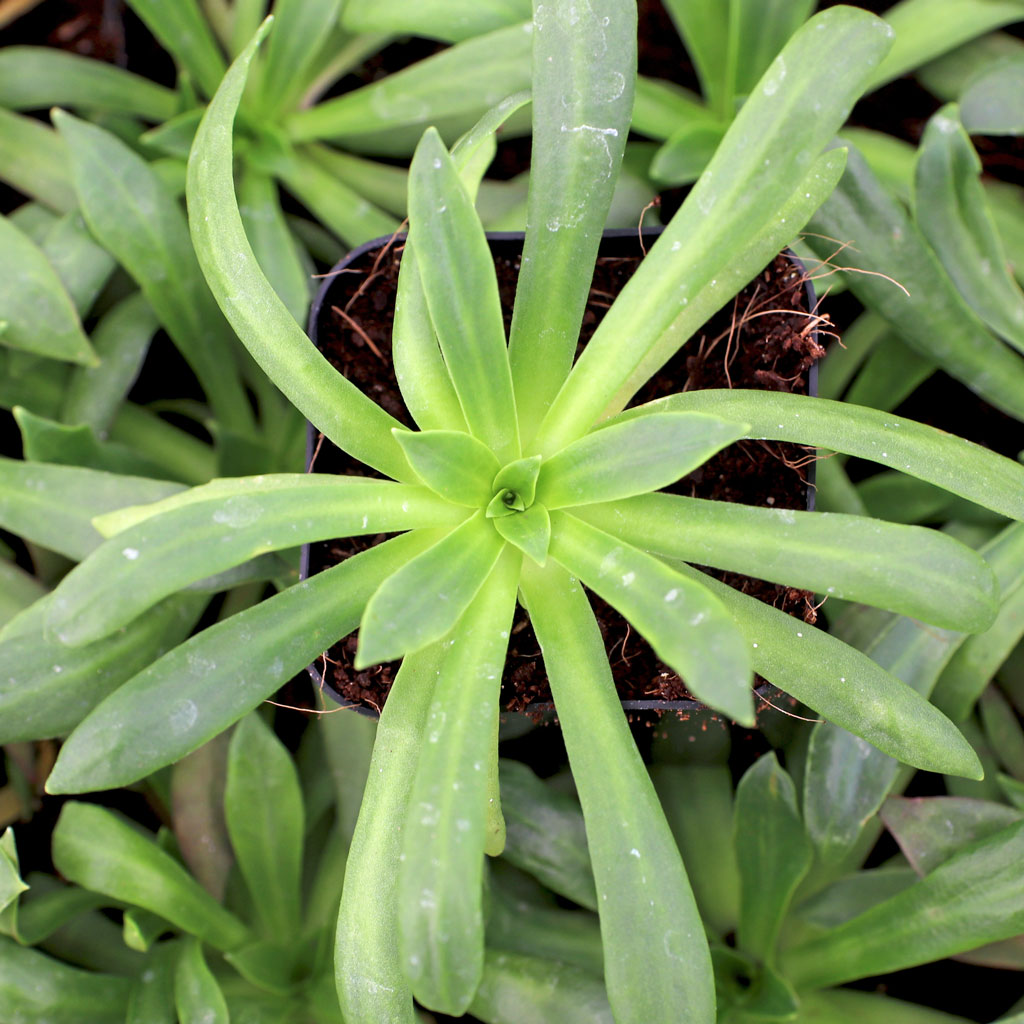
<point>524,990</point>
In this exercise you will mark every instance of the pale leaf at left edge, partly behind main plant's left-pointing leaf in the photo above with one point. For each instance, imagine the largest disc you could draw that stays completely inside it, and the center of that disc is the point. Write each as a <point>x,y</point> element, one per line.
<point>54,506</point>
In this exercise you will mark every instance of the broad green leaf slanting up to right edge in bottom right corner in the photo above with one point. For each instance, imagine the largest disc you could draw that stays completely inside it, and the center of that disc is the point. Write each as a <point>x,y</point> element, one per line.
<point>975,898</point>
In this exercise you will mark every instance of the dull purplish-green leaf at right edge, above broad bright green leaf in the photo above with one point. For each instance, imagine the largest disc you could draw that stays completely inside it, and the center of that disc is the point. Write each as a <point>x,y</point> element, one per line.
<point>931,830</point>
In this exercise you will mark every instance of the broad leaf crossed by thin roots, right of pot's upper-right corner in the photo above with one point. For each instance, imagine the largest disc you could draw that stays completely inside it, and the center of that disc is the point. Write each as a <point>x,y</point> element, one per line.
<point>925,308</point>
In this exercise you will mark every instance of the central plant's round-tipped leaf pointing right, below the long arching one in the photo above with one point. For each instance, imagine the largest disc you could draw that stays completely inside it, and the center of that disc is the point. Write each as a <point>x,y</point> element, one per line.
<point>910,570</point>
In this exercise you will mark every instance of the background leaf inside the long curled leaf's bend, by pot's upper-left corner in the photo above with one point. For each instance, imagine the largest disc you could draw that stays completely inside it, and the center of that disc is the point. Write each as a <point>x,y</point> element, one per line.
<point>273,243</point>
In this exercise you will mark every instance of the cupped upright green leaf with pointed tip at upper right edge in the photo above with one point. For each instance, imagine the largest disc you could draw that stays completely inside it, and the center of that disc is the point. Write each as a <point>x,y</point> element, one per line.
<point>953,215</point>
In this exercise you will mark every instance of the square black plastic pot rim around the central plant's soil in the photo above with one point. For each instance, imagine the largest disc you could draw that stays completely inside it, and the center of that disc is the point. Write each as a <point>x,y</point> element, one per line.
<point>616,243</point>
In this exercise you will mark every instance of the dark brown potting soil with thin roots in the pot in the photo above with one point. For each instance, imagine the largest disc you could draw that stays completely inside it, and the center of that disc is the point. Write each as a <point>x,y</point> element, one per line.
<point>762,339</point>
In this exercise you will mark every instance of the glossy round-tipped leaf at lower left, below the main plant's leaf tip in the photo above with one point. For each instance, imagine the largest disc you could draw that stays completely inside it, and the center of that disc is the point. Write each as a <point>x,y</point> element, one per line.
<point>98,850</point>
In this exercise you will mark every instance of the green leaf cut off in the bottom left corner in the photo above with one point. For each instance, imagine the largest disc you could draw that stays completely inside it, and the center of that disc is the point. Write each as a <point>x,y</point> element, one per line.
<point>37,988</point>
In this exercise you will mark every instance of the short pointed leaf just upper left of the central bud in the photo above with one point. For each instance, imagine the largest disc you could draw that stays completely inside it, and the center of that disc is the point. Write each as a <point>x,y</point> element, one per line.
<point>453,464</point>
